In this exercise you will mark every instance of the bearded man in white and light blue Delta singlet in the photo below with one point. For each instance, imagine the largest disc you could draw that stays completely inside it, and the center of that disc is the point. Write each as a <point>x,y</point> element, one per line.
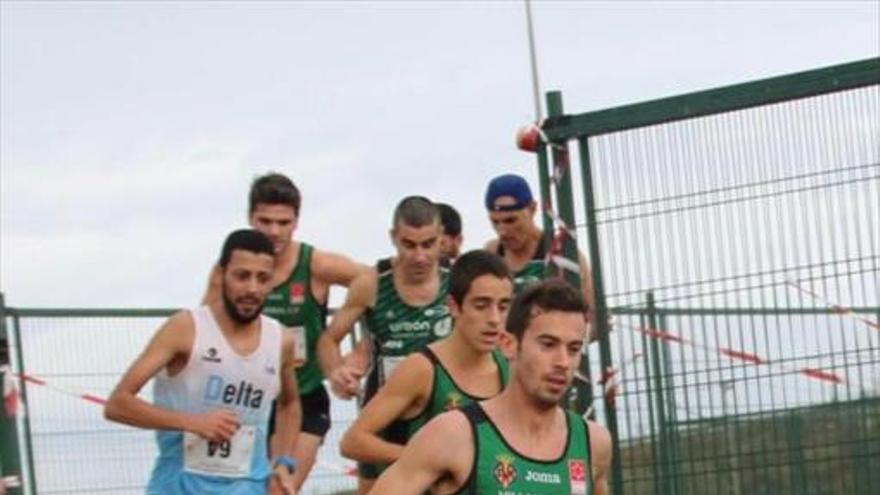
<point>218,368</point>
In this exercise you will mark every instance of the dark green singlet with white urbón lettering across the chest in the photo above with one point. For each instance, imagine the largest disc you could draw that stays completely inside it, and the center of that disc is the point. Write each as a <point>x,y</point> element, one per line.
<point>398,329</point>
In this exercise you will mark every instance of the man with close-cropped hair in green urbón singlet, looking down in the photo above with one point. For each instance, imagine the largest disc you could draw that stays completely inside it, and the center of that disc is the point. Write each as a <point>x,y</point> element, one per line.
<point>405,308</point>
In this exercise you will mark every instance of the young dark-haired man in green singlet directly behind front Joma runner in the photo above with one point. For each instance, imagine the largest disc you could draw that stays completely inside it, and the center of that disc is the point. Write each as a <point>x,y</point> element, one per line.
<point>460,369</point>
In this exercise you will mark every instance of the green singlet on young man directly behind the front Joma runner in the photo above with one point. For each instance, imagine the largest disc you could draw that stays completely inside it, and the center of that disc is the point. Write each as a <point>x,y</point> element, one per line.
<point>446,394</point>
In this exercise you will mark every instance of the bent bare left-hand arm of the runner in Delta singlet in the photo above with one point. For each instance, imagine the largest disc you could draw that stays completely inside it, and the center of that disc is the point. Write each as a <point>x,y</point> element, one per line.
<point>171,342</point>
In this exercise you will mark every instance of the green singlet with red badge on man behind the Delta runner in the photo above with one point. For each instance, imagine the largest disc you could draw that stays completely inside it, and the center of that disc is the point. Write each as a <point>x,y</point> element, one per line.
<point>293,304</point>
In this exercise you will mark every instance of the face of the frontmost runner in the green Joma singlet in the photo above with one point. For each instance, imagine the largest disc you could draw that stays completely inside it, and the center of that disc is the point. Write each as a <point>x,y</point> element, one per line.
<point>549,354</point>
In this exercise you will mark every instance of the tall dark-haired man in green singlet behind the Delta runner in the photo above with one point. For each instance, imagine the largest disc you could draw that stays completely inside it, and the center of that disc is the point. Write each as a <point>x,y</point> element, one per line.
<point>301,284</point>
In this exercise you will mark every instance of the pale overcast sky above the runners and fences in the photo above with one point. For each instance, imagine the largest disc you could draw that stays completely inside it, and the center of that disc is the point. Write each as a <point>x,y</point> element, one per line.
<point>129,131</point>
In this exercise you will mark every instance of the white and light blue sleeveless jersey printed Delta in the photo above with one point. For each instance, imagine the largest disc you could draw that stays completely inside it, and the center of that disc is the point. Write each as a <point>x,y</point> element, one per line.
<point>216,377</point>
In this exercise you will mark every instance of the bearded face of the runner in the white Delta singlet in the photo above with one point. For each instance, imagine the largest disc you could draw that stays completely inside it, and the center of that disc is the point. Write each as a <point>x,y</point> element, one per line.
<point>247,280</point>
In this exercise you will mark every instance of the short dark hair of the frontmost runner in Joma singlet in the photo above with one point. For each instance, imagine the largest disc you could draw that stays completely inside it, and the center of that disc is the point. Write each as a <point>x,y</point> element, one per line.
<point>548,295</point>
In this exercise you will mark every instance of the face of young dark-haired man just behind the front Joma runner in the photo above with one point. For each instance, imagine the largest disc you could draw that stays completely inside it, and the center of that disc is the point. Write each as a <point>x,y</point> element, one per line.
<point>480,318</point>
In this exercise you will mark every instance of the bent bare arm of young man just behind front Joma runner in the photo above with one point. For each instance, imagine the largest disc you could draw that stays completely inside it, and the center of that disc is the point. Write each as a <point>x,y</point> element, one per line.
<point>402,396</point>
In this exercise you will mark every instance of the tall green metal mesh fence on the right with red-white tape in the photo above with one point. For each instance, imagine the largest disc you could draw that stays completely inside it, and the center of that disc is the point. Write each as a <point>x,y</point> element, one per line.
<point>736,234</point>
